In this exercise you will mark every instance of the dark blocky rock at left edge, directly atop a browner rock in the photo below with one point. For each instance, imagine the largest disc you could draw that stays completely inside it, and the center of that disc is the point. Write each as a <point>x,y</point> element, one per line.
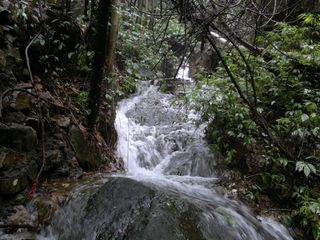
<point>18,137</point>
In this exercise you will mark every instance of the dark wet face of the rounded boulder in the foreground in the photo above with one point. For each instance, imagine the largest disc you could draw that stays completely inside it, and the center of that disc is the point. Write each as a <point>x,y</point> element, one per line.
<point>126,209</point>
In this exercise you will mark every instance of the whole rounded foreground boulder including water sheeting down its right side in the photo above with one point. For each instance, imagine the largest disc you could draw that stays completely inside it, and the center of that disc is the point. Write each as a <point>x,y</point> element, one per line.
<point>124,208</point>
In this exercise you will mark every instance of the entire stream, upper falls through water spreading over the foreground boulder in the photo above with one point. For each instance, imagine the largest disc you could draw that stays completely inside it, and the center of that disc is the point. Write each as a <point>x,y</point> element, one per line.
<point>170,189</point>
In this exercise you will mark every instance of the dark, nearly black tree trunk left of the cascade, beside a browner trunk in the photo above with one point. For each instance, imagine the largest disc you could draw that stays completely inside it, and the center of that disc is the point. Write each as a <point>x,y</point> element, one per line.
<point>101,51</point>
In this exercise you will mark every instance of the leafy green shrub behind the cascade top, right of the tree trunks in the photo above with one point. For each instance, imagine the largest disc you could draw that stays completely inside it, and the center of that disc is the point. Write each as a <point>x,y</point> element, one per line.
<point>139,49</point>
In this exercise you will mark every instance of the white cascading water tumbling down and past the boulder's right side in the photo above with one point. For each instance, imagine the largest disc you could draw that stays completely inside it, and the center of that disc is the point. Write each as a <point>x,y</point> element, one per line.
<point>162,147</point>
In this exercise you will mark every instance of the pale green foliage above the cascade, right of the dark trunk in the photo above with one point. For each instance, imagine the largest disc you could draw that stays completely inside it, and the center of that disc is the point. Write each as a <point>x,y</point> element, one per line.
<point>144,51</point>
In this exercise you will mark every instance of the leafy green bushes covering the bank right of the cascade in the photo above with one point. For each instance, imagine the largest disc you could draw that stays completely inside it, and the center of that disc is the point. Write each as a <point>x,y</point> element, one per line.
<point>288,98</point>
